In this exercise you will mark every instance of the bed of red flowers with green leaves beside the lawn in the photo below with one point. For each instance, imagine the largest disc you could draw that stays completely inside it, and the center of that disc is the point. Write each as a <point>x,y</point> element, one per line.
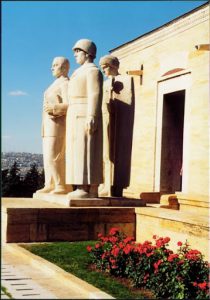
<point>152,265</point>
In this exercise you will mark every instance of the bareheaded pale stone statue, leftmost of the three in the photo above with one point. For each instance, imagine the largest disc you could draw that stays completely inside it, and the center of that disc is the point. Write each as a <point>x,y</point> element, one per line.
<point>54,128</point>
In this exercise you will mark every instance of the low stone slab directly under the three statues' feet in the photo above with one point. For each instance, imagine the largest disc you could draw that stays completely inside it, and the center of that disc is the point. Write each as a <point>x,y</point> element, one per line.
<point>89,202</point>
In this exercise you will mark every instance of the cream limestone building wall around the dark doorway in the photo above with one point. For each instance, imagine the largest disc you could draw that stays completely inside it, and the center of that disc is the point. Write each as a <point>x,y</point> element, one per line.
<point>171,63</point>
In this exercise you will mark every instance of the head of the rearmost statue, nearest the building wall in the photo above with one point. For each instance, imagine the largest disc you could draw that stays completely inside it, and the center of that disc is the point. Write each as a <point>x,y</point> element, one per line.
<point>109,65</point>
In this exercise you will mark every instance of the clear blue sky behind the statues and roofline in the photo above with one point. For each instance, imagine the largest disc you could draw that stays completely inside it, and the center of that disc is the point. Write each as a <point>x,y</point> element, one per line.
<point>34,32</point>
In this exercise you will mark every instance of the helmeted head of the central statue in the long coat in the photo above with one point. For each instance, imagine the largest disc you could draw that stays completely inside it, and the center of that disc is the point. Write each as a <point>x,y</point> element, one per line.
<point>88,47</point>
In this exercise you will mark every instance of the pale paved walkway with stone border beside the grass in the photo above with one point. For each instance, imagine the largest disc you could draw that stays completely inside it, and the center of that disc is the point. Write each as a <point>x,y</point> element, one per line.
<point>27,276</point>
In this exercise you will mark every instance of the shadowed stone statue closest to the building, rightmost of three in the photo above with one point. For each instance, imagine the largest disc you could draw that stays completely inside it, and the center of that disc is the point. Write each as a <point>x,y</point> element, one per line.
<point>118,116</point>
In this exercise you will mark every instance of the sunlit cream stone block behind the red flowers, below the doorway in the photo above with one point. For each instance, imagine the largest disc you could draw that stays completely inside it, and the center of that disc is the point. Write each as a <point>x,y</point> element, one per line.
<point>178,225</point>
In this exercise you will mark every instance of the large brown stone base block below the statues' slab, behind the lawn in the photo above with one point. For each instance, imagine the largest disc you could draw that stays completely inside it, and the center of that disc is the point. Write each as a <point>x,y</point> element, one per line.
<point>39,221</point>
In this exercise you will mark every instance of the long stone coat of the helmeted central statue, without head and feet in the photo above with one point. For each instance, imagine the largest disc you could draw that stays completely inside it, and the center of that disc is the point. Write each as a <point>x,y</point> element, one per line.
<point>84,150</point>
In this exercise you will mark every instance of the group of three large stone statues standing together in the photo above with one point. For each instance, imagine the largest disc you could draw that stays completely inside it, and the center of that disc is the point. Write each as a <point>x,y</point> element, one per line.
<point>87,126</point>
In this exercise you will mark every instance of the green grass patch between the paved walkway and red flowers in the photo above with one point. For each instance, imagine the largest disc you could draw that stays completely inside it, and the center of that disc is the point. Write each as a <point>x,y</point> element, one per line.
<point>74,258</point>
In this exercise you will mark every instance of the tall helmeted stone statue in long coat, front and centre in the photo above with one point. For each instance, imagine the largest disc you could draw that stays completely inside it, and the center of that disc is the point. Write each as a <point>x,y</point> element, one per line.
<point>84,124</point>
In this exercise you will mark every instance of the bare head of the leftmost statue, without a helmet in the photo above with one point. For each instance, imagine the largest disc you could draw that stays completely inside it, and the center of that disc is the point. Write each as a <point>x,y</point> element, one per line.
<point>60,66</point>
